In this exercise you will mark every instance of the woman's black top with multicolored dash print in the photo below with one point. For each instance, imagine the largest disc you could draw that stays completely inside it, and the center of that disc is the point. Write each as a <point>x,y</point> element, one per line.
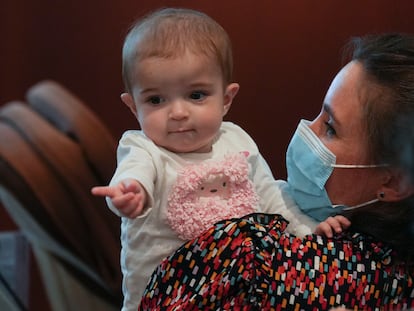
<point>251,264</point>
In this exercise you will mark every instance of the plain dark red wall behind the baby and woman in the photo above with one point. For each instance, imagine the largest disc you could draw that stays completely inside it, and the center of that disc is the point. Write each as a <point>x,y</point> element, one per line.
<point>286,53</point>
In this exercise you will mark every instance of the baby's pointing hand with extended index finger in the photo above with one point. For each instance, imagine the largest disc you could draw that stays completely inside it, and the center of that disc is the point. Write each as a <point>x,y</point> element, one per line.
<point>128,196</point>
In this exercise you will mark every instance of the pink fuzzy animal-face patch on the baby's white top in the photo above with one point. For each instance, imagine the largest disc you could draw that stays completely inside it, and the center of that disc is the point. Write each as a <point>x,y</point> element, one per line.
<point>208,192</point>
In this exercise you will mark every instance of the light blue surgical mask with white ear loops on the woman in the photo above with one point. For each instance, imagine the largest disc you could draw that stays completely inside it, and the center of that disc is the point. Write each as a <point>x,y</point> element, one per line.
<point>309,165</point>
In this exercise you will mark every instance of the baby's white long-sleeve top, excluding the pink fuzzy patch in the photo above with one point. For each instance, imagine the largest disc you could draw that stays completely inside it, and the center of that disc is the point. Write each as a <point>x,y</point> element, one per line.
<point>147,239</point>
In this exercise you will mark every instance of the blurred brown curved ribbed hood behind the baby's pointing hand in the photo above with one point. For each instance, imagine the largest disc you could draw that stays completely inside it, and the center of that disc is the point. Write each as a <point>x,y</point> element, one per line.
<point>52,151</point>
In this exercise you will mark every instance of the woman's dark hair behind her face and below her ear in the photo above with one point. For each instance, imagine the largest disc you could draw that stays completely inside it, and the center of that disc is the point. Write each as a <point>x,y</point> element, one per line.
<point>388,61</point>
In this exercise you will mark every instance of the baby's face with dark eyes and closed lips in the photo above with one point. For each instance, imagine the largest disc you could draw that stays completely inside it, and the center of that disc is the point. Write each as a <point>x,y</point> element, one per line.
<point>180,102</point>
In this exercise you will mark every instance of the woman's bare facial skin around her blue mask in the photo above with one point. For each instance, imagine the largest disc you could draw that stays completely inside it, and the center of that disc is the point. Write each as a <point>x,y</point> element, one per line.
<point>340,126</point>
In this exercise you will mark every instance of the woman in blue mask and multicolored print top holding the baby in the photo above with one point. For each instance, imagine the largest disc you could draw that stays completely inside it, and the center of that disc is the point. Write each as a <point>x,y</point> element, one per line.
<point>349,160</point>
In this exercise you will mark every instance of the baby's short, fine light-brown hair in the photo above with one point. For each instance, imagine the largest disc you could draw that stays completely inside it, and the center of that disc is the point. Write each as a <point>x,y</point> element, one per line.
<point>170,32</point>
